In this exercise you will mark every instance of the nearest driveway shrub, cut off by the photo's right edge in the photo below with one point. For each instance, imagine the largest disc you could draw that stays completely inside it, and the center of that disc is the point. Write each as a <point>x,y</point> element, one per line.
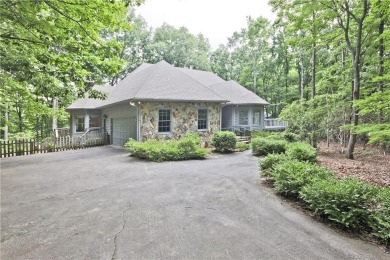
<point>380,217</point>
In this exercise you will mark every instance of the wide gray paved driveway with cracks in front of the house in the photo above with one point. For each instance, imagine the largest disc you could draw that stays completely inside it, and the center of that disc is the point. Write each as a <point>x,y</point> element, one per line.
<point>99,203</point>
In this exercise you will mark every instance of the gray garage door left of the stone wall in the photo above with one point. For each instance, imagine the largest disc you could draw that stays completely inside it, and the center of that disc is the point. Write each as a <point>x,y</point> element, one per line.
<point>123,128</point>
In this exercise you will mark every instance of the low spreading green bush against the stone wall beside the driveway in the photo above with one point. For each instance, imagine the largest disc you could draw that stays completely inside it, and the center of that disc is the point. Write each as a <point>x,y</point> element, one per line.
<point>168,150</point>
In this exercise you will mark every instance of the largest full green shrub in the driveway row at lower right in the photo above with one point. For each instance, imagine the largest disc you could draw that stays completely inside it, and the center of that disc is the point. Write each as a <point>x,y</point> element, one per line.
<point>347,202</point>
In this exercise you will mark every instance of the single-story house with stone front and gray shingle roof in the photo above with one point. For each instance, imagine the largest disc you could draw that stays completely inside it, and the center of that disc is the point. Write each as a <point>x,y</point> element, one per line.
<point>162,101</point>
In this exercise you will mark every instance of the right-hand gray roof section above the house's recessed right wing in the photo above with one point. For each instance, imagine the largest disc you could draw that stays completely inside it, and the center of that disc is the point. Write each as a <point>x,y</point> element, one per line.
<point>237,94</point>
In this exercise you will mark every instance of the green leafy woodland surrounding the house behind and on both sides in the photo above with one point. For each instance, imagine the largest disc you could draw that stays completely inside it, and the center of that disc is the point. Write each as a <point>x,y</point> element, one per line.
<point>322,65</point>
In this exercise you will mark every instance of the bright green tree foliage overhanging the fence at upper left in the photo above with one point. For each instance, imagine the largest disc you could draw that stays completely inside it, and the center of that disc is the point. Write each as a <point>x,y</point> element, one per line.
<point>54,49</point>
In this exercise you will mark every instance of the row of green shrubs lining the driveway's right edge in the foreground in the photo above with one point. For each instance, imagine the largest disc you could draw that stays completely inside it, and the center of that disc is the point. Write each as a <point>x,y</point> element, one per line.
<point>350,203</point>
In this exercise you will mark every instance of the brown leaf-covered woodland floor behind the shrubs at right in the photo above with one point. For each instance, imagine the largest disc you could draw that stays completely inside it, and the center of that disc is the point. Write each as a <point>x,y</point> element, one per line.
<point>370,163</point>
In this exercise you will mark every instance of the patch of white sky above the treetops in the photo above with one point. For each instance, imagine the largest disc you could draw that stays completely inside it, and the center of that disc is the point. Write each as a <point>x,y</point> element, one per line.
<point>216,19</point>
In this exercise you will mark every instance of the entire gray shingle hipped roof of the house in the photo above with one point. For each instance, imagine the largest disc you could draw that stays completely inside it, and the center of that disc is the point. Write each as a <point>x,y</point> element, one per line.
<point>164,82</point>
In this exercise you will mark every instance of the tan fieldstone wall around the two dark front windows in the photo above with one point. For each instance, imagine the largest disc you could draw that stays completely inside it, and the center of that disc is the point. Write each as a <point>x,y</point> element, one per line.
<point>184,119</point>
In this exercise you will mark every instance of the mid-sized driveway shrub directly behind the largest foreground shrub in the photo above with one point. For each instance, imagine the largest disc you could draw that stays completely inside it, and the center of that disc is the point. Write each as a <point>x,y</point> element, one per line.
<point>291,176</point>
